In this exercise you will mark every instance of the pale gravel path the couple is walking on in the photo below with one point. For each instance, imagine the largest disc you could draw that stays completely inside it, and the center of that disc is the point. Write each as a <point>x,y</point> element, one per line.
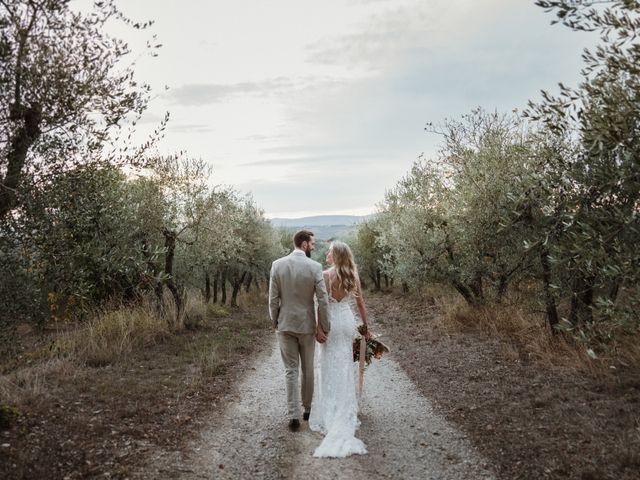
<point>405,438</point>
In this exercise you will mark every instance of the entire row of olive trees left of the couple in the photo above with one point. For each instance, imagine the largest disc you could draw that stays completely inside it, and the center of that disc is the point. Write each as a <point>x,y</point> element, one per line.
<point>87,217</point>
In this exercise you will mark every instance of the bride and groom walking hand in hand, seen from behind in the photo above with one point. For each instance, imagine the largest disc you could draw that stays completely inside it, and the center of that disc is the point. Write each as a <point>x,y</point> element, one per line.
<point>295,281</point>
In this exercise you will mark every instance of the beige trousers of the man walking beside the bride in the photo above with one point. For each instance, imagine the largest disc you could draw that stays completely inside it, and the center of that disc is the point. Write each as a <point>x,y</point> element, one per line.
<point>297,350</point>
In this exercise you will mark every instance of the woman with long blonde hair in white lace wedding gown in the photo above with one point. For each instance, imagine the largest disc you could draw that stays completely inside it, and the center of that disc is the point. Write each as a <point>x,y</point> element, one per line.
<point>334,410</point>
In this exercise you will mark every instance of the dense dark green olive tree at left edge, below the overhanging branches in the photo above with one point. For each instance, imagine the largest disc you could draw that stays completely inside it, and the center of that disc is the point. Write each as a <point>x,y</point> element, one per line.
<point>77,243</point>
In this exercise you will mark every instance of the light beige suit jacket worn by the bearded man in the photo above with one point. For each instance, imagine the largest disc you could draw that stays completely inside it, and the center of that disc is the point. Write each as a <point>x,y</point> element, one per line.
<point>294,281</point>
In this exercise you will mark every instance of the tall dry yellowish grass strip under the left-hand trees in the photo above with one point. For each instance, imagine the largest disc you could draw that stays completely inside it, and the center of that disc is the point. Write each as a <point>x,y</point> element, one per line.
<point>114,336</point>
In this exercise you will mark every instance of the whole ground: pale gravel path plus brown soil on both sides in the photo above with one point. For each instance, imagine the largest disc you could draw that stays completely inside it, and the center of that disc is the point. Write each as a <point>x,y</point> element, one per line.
<point>441,405</point>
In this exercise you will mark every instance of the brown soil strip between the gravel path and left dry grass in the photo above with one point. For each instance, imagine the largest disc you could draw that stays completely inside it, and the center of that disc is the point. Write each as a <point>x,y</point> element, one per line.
<point>108,422</point>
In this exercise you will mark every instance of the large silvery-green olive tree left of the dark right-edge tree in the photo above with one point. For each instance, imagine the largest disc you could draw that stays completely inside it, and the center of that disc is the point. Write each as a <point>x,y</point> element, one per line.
<point>444,221</point>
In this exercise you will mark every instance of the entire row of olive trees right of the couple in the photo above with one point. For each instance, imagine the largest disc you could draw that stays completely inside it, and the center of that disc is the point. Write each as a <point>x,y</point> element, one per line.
<point>543,205</point>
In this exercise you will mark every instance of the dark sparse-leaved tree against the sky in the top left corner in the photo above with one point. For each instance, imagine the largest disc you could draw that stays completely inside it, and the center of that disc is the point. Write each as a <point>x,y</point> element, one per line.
<point>65,95</point>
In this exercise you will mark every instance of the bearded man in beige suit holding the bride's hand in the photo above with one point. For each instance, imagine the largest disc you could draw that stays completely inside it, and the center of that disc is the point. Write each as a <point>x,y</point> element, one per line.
<point>295,280</point>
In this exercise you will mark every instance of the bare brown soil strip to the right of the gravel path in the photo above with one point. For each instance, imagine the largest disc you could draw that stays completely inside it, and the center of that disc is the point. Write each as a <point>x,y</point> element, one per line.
<point>531,421</point>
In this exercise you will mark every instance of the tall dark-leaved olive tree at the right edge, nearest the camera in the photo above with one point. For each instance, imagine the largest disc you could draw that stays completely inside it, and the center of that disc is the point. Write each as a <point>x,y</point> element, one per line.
<point>591,251</point>
